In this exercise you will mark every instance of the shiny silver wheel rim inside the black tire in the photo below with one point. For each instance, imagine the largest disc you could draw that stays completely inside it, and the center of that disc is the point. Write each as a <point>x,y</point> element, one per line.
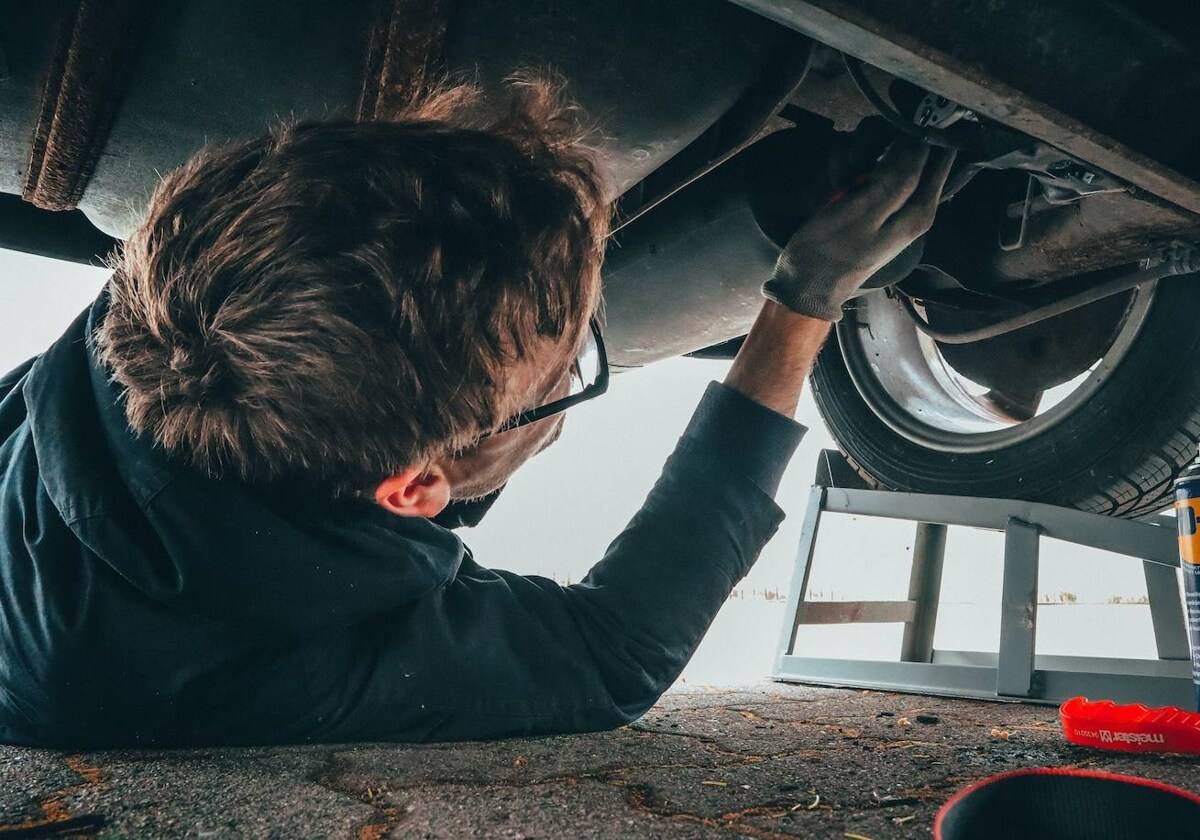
<point>903,377</point>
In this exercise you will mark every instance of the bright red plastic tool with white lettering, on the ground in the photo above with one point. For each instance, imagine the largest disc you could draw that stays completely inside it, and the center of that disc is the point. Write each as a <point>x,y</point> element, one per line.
<point>1131,729</point>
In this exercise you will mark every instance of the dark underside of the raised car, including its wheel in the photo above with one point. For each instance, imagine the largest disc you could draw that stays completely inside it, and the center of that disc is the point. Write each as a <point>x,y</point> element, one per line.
<point>1037,344</point>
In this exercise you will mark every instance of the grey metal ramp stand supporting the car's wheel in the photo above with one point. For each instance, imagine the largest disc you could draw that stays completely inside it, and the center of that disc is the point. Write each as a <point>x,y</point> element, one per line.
<point>1013,674</point>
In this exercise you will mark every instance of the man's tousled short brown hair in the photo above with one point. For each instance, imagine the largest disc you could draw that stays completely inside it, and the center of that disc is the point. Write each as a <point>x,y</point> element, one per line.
<point>335,302</point>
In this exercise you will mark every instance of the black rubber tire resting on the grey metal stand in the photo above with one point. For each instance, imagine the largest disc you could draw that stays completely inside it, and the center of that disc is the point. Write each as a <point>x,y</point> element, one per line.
<point>1117,454</point>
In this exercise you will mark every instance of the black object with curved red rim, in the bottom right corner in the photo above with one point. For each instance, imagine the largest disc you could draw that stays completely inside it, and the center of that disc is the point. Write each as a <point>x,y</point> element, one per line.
<point>1069,805</point>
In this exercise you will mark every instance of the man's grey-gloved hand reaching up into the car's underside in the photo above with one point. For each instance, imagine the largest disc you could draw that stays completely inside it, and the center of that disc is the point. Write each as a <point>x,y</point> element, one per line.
<point>835,253</point>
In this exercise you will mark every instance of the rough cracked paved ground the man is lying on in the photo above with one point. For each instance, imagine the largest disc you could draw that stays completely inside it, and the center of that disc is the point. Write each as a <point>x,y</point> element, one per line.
<point>772,761</point>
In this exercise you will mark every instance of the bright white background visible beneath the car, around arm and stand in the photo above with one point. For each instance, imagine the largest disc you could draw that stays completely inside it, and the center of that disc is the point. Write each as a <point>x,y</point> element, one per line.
<point>561,512</point>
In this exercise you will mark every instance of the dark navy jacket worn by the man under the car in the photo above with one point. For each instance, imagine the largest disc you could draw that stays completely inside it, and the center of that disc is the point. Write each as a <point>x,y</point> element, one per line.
<point>145,604</point>
